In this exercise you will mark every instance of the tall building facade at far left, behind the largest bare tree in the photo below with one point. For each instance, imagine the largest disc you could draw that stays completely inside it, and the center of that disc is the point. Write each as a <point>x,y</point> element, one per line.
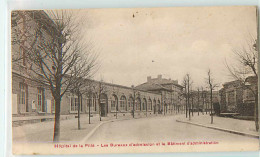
<point>28,96</point>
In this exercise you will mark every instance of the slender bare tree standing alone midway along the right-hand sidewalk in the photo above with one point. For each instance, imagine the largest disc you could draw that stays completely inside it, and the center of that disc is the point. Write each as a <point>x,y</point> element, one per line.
<point>212,86</point>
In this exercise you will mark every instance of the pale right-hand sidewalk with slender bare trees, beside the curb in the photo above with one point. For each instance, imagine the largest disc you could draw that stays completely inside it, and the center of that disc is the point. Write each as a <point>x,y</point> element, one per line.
<point>236,126</point>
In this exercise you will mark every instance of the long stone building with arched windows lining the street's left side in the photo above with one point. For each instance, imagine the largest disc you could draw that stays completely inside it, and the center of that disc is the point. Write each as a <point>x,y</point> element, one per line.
<point>31,97</point>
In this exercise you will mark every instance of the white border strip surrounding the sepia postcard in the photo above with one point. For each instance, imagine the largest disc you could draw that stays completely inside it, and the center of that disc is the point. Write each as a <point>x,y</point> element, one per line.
<point>5,66</point>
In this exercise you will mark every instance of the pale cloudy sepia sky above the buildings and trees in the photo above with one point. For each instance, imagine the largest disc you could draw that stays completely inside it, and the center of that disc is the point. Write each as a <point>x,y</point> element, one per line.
<point>136,43</point>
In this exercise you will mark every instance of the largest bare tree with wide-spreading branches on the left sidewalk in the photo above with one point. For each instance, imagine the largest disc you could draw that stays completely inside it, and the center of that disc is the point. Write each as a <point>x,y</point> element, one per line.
<point>57,50</point>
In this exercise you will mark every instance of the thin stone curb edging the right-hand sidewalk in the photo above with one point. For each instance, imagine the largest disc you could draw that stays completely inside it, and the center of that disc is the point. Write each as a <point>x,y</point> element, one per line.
<point>221,129</point>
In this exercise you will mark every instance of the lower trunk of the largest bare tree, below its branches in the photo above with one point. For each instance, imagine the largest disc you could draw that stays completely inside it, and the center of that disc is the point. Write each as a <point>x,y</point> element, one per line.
<point>56,136</point>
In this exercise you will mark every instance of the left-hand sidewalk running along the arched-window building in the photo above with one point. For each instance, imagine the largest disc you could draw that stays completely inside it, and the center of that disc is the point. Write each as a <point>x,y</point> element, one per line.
<point>43,132</point>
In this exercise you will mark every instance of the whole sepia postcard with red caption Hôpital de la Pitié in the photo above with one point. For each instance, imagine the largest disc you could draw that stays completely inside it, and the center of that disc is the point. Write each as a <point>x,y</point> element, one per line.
<point>135,80</point>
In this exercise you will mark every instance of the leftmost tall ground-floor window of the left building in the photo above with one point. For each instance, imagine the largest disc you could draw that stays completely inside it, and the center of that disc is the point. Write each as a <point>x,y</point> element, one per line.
<point>23,98</point>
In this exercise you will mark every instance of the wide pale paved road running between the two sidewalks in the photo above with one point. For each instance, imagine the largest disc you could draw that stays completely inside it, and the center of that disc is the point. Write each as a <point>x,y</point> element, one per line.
<point>161,129</point>
